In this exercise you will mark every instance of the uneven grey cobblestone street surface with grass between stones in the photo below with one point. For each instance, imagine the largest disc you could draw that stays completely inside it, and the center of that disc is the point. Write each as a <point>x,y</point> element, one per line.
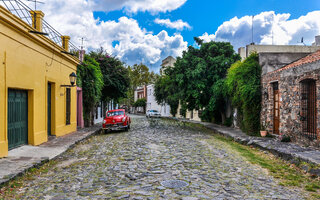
<point>132,165</point>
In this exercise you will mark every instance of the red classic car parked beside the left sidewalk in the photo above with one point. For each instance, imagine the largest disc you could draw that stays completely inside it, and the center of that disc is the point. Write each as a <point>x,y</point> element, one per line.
<point>116,120</point>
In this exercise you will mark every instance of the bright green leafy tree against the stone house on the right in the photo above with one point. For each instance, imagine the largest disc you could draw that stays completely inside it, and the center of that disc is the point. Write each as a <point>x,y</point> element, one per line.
<point>243,84</point>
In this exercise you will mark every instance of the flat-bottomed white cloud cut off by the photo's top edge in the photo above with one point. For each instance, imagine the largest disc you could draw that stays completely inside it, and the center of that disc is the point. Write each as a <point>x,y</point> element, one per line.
<point>133,6</point>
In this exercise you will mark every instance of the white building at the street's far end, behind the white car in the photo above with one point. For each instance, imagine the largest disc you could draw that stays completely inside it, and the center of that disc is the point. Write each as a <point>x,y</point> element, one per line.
<point>152,104</point>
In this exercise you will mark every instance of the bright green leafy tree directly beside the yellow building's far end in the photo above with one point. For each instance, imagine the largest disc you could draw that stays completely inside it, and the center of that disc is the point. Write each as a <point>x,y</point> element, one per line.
<point>90,78</point>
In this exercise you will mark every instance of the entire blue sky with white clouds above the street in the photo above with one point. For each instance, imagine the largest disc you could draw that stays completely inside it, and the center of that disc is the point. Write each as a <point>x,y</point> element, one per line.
<point>147,31</point>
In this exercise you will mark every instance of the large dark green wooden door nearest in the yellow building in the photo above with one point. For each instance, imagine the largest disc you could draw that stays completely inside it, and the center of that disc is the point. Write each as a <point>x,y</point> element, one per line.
<point>17,118</point>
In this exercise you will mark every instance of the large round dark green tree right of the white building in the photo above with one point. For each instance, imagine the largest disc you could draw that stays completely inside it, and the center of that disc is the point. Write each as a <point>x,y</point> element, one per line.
<point>199,73</point>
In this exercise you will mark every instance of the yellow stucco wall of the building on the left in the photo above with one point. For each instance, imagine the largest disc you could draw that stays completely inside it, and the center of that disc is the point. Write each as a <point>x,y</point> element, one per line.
<point>28,62</point>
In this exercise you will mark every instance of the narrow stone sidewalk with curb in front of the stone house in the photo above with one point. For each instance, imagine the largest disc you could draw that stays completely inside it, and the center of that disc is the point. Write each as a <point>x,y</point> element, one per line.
<point>287,151</point>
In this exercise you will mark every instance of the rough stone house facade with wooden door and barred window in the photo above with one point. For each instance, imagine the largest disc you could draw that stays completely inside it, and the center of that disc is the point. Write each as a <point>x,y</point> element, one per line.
<point>291,100</point>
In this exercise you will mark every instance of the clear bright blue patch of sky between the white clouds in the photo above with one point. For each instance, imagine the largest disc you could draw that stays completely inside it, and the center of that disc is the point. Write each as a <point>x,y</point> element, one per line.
<point>208,15</point>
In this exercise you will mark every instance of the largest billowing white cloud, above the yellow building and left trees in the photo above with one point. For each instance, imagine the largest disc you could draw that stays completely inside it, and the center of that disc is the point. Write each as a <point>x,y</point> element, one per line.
<point>123,38</point>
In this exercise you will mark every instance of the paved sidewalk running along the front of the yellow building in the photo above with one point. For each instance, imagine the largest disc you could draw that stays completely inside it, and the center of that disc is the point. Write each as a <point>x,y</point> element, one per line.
<point>23,158</point>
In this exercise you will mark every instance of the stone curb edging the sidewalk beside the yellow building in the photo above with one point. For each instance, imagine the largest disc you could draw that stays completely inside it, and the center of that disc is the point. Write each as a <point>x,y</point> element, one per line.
<point>40,162</point>
